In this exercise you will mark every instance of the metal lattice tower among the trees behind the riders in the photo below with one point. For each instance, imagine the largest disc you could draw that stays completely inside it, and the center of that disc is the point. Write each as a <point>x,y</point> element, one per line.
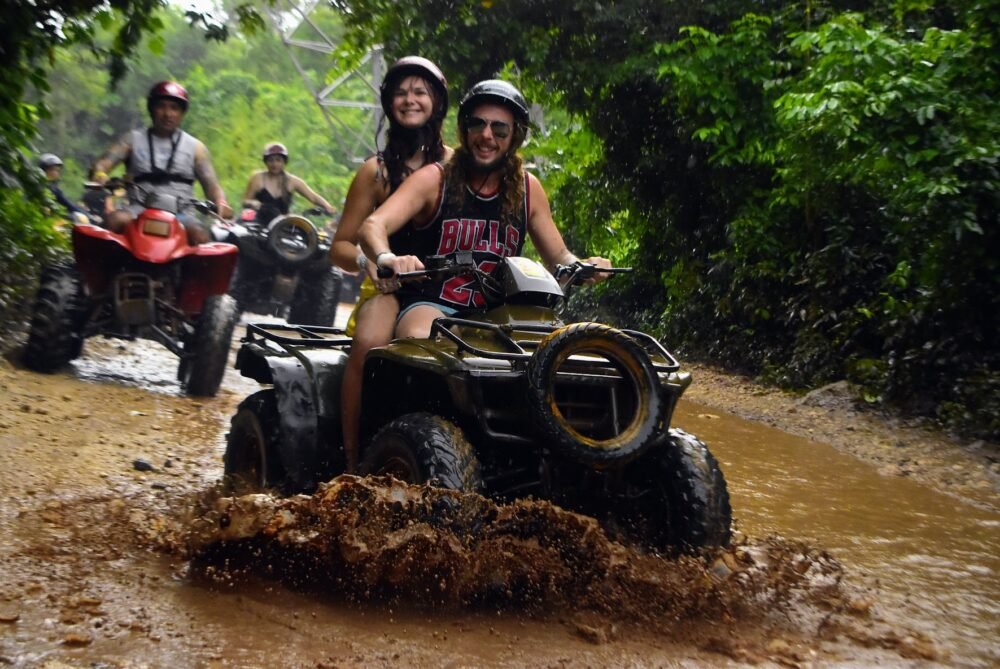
<point>293,22</point>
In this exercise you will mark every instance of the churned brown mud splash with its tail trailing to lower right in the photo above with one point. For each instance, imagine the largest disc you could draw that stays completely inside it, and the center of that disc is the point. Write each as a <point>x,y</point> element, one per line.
<point>382,542</point>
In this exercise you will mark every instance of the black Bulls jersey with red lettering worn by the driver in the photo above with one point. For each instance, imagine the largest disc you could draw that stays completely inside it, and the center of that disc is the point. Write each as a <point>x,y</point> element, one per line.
<point>476,228</point>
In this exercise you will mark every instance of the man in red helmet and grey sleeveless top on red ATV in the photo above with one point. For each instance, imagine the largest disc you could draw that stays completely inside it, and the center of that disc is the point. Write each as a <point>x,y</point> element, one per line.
<point>165,159</point>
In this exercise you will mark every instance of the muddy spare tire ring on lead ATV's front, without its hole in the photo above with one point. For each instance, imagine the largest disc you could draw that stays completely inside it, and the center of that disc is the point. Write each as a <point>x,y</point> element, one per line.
<point>640,430</point>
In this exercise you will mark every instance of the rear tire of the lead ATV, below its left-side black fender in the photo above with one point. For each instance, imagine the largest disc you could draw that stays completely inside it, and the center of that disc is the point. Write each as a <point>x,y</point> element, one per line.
<point>252,463</point>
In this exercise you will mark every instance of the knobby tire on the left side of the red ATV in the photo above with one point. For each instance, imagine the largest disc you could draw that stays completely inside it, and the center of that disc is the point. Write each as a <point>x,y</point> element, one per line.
<point>56,320</point>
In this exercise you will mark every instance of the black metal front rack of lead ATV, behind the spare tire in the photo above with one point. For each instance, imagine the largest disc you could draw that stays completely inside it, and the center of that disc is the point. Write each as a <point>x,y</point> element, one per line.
<point>522,349</point>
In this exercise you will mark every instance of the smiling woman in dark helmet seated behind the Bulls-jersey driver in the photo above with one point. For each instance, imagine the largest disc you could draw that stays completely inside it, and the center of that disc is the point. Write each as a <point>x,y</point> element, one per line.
<point>414,98</point>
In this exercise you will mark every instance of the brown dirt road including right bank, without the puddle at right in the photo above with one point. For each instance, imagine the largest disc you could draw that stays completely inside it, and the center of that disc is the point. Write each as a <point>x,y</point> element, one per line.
<point>105,467</point>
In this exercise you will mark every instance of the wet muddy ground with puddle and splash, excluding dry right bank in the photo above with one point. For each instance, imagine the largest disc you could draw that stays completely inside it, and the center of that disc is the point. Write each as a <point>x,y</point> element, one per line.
<point>121,551</point>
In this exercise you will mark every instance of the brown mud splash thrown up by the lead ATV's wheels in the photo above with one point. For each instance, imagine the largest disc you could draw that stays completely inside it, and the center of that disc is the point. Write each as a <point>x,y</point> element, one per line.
<point>382,539</point>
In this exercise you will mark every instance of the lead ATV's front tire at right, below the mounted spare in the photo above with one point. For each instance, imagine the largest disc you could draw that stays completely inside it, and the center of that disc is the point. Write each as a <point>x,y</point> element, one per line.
<point>678,500</point>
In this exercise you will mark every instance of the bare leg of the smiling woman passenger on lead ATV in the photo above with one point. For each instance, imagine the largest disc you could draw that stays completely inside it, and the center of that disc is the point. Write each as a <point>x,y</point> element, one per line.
<point>376,320</point>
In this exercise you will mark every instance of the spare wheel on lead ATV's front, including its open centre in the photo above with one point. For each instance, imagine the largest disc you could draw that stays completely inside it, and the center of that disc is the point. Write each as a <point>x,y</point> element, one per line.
<point>612,412</point>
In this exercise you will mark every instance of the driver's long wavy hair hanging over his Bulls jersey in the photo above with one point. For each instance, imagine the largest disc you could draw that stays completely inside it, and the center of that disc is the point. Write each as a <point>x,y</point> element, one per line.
<point>459,171</point>
